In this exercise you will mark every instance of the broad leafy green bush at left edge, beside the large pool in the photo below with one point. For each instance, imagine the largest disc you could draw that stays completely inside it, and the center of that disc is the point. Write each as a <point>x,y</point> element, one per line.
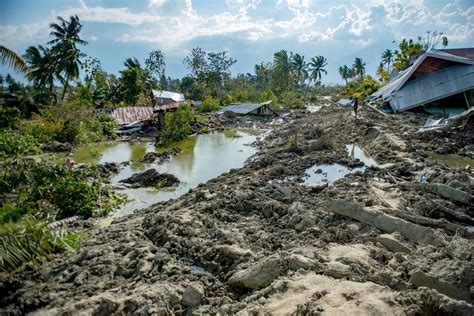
<point>52,191</point>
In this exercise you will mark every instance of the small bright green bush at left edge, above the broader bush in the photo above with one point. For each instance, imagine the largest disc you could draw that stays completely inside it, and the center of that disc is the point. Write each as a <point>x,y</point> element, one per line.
<point>13,144</point>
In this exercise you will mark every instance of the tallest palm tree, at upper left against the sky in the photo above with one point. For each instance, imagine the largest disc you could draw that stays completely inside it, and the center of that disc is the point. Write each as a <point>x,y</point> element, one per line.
<point>66,37</point>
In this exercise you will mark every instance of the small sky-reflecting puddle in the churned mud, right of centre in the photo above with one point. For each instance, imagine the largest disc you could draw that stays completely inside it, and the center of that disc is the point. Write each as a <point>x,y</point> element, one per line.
<point>334,172</point>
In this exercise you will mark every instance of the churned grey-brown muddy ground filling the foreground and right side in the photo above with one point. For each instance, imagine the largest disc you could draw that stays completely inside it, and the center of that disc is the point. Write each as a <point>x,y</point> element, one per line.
<point>259,241</point>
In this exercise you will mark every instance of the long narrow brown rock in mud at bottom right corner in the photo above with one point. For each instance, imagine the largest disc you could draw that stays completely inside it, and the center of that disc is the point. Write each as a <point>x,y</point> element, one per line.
<point>420,278</point>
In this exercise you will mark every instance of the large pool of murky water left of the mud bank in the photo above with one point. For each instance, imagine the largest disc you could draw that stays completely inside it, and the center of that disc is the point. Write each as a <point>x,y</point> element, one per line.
<point>204,157</point>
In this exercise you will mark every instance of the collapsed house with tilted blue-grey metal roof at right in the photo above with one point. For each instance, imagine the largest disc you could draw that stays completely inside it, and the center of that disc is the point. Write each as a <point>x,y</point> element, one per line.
<point>439,81</point>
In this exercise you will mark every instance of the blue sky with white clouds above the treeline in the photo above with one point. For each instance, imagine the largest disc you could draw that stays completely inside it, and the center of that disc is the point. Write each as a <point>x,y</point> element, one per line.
<point>250,30</point>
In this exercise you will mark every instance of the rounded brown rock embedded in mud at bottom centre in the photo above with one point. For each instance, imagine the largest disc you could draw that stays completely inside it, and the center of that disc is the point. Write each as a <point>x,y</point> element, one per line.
<point>258,275</point>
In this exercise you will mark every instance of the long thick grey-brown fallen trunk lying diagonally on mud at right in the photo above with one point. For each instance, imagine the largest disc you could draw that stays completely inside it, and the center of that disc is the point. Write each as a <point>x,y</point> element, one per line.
<point>385,222</point>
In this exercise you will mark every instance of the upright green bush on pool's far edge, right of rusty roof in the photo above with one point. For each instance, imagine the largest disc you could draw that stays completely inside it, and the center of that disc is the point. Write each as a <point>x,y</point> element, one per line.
<point>177,125</point>
